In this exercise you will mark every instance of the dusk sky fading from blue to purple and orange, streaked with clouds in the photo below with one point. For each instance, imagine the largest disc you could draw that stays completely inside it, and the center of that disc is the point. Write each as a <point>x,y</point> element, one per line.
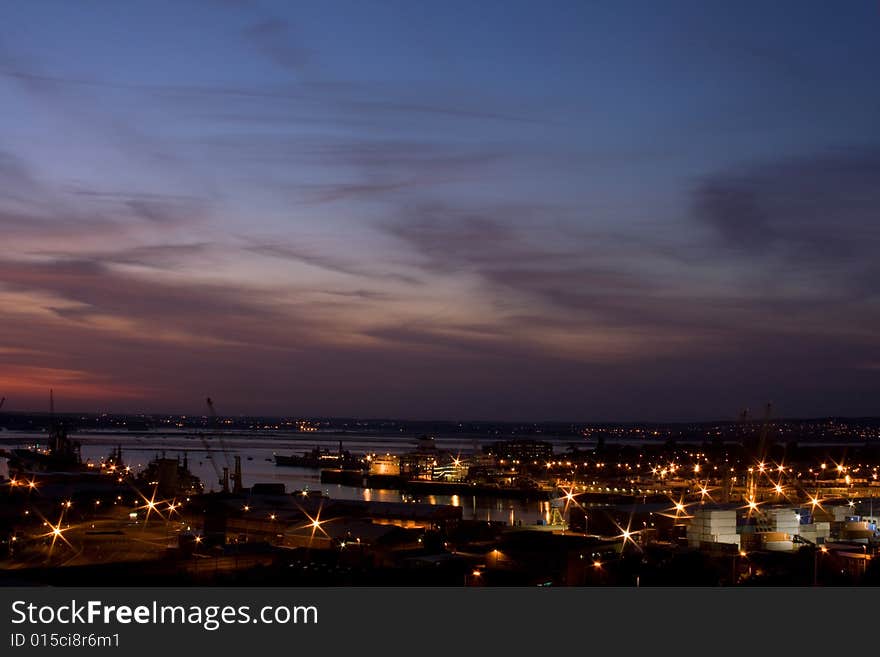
<point>578,211</point>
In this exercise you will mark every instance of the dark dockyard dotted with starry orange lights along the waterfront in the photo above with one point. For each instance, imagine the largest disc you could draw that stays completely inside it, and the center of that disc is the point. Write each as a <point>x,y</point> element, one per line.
<point>607,513</point>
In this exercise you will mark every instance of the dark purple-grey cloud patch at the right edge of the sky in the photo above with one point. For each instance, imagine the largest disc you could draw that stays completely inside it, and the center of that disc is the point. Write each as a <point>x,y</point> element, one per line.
<point>816,215</point>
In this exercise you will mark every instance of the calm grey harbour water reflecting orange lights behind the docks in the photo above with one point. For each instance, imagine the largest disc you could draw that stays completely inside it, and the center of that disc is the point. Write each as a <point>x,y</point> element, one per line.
<point>258,466</point>
